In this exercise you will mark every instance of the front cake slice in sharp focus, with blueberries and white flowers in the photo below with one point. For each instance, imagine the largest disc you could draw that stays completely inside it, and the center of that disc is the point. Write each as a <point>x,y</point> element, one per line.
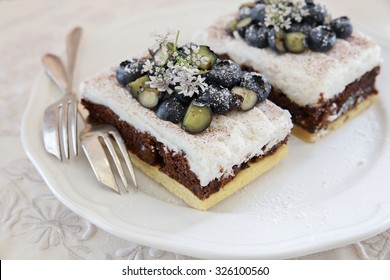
<point>200,134</point>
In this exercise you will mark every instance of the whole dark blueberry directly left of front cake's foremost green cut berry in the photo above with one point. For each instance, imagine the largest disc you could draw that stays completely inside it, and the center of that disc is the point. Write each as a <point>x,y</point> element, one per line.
<point>171,110</point>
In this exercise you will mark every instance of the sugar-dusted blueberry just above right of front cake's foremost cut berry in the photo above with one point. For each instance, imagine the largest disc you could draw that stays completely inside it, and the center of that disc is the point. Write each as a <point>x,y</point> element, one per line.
<point>219,99</point>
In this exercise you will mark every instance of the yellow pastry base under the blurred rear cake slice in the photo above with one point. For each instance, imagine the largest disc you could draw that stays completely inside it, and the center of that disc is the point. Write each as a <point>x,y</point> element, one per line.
<point>313,137</point>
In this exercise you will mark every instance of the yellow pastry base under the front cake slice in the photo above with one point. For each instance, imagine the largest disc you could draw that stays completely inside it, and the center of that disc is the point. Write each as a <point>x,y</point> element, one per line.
<point>242,178</point>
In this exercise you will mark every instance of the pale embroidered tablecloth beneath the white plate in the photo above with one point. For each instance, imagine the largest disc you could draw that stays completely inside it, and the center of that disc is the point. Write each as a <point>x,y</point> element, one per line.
<point>34,224</point>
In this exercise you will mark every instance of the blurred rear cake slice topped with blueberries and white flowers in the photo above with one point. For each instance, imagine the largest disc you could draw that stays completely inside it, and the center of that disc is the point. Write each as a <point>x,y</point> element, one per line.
<point>321,70</point>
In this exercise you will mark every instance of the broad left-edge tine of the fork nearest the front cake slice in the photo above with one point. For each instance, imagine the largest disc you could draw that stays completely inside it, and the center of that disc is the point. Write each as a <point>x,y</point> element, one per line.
<point>99,162</point>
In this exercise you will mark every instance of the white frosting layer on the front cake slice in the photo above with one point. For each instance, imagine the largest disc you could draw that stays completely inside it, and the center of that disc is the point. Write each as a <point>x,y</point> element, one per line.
<point>229,140</point>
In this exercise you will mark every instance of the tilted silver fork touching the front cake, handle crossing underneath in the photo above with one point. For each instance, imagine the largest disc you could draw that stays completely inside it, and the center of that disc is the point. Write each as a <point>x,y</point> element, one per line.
<point>102,144</point>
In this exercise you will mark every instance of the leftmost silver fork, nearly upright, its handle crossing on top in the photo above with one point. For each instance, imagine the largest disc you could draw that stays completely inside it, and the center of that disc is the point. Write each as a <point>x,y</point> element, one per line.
<point>60,118</point>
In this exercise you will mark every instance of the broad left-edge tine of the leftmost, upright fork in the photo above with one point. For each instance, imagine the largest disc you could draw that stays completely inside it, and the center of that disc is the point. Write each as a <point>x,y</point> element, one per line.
<point>51,137</point>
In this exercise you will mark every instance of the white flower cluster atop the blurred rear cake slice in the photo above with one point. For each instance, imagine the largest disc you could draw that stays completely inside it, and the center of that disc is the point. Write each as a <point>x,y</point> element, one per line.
<point>280,13</point>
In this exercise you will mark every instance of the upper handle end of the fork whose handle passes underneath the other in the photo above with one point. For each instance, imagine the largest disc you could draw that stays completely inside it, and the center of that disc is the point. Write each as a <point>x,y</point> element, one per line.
<point>56,70</point>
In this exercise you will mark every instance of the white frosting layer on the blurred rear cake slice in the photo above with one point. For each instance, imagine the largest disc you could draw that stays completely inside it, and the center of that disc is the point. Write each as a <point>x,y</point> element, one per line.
<point>302,77</point>
